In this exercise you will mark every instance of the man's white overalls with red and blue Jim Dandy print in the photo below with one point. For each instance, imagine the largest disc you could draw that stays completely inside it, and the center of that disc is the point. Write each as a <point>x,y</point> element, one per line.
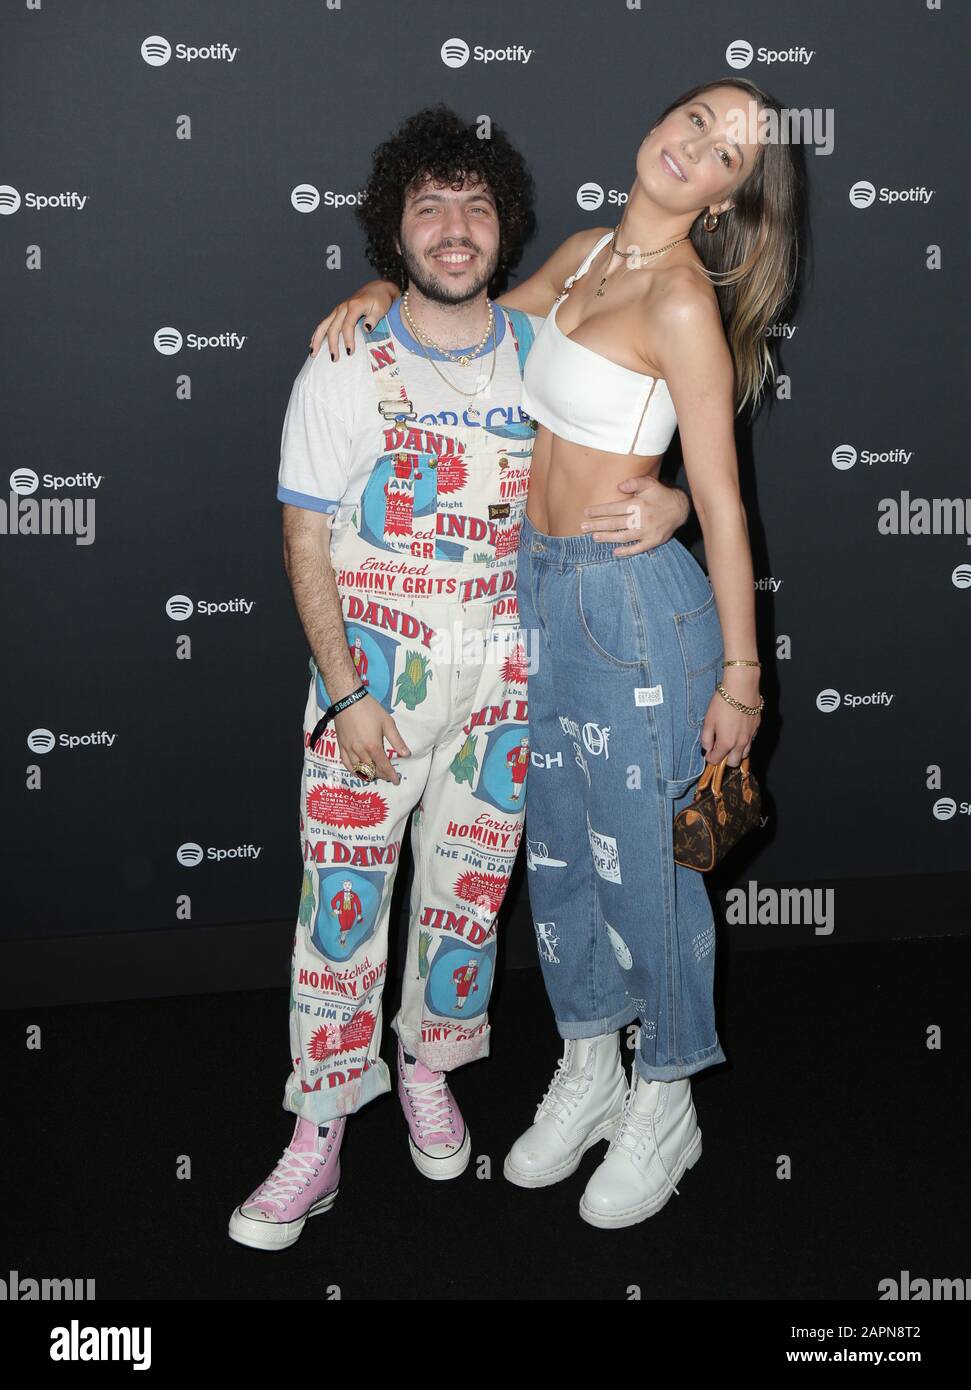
<point>426,568</point>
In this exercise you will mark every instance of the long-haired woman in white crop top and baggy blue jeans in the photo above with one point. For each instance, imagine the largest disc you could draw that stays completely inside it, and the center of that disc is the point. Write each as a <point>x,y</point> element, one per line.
<point>644,668</point>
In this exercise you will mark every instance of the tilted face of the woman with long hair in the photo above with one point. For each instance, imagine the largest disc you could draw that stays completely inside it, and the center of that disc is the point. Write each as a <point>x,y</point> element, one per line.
<point>699,154</point>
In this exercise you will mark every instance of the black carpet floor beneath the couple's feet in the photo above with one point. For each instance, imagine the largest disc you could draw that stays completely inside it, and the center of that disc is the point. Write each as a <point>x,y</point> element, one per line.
<point>829,1067</point>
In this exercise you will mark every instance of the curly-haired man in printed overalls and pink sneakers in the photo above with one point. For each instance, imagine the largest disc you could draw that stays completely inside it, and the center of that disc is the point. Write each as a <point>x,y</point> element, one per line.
<point>404,477</point>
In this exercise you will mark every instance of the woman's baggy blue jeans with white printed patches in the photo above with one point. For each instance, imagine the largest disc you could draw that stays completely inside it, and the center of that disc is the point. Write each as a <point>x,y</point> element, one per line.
<point>623,661</point>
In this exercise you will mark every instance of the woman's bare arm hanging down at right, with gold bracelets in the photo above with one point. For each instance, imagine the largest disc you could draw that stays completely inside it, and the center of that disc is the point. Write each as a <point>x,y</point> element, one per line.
<point>698,368</point>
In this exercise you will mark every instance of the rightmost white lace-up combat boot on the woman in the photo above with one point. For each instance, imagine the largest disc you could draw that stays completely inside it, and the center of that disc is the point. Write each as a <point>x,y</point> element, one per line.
<point>655,1143</point>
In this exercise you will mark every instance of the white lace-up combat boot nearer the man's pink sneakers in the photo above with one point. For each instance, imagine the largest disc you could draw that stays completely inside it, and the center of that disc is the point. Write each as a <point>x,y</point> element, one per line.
<point>583,1106</point>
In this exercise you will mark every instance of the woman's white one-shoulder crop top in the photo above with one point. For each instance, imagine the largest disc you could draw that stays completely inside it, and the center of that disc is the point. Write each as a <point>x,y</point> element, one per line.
<point>586,398</point>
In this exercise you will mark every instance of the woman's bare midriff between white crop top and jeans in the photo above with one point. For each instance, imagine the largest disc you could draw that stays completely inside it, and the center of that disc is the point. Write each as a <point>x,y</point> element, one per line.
<point>567,477</point>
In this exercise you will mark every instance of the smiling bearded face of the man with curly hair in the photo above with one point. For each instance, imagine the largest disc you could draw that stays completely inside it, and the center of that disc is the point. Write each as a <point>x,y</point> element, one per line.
<point>449,241</point>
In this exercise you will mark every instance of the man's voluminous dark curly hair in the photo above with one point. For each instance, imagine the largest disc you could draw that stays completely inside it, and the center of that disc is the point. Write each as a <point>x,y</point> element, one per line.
<point>437,142</point>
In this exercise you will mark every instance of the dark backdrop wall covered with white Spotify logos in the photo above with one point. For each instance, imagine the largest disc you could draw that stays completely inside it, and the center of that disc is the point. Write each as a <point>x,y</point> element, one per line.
<point>177,213</point>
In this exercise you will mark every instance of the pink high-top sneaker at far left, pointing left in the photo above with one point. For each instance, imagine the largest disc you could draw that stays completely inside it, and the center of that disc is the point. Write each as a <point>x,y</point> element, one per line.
<point>304,1184</point>
